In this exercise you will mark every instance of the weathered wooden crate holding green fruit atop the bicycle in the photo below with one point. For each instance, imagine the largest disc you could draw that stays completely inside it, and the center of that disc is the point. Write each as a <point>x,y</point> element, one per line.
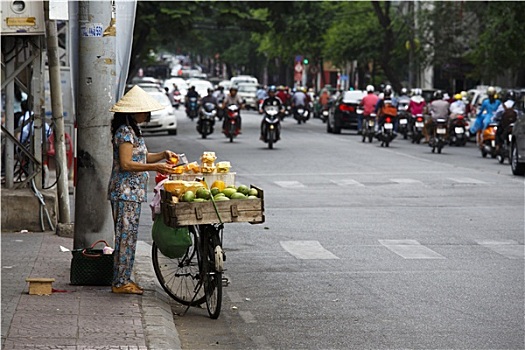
<point>190,213</point>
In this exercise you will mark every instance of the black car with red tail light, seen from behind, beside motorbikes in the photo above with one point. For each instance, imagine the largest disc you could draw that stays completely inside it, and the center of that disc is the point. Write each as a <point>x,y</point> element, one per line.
<point>343,111</point>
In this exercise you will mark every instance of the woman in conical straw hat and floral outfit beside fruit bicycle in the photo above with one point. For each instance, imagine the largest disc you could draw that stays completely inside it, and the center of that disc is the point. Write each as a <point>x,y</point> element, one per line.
<point>129,177</point>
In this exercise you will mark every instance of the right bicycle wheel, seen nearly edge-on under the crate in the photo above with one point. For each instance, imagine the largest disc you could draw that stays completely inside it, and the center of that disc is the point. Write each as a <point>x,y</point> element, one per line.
<point>212,271</point>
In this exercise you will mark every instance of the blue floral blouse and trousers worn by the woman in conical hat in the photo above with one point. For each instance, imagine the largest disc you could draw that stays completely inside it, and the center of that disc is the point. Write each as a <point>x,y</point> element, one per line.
<point>126,191</point>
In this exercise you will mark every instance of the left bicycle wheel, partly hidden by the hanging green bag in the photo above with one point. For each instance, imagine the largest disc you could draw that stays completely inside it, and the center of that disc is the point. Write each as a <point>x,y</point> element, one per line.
<point>180,277</point>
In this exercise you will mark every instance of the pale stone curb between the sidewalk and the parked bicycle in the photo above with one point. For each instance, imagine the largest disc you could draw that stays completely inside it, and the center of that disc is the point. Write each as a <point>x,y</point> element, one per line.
<point>157,317</point>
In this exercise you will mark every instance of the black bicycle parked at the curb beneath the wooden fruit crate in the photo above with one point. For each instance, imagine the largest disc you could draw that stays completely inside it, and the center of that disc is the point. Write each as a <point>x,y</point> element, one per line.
<point>183,279</point>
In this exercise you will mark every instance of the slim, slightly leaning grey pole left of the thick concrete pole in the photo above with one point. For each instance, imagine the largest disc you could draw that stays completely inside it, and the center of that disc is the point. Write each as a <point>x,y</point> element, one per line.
<point>58,117</point>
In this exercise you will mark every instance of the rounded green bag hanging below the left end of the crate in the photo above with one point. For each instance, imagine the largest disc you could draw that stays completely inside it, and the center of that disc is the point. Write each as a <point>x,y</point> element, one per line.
<point>172,242</point>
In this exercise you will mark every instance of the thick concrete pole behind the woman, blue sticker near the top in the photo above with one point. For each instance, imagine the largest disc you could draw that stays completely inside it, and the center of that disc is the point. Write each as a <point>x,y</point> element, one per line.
<point>97,80</point>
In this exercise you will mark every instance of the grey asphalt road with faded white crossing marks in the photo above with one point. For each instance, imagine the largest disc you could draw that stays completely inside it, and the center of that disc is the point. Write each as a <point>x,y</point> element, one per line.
<point>363,246</point>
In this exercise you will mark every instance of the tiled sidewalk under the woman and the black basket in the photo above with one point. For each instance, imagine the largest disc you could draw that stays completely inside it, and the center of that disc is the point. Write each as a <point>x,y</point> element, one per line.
<point>78,317</point>
